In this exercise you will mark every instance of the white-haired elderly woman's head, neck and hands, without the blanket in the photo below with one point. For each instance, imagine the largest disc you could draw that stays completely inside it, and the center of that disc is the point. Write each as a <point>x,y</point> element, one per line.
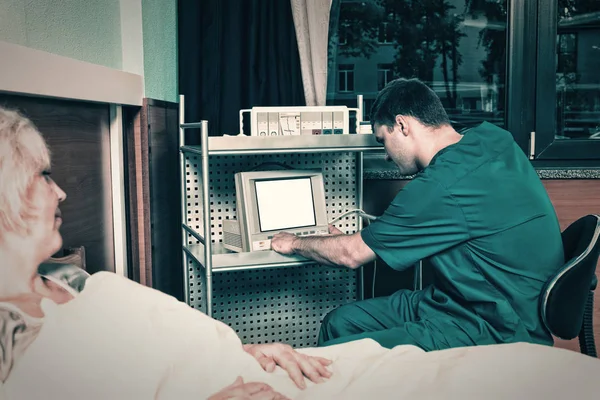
<point>30,220</point>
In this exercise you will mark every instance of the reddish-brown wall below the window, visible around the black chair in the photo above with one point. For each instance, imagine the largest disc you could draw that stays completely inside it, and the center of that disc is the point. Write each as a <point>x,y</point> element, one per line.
<point>572,199</point>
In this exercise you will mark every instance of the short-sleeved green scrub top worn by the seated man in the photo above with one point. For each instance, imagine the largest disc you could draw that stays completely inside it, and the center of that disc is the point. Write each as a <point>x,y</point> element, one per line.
<point>480,214</point>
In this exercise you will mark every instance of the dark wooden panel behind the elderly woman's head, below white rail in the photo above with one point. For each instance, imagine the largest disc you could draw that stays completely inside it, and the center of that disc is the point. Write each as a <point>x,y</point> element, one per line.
<point>78,136</point>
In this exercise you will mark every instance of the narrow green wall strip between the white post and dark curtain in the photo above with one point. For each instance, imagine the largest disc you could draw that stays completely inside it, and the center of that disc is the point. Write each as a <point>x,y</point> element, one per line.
<point>160,49</point>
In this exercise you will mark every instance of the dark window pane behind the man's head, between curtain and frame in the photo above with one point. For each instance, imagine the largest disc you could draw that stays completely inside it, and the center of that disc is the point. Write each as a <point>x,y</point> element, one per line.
<point>457,47</point>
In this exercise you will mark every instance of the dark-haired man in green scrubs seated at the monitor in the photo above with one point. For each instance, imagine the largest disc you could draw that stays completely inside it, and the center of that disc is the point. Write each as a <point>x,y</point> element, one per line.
<point>476,209</point>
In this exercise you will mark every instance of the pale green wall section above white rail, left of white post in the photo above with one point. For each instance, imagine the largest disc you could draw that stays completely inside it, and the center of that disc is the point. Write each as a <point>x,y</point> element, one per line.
<point>84,30</point>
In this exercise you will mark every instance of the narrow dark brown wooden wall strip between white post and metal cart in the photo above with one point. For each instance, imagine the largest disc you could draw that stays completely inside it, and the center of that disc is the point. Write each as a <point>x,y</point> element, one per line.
<point>154,206</point>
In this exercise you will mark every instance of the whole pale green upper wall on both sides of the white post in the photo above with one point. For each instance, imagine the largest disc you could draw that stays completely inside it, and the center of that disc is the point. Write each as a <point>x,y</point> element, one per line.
<point>90,30</point>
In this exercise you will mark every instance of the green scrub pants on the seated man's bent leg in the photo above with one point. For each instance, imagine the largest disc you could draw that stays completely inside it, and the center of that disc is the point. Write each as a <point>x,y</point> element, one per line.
<point>393,321</point>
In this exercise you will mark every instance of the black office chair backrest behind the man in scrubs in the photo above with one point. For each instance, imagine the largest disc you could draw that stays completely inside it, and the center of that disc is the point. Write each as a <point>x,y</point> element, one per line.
<point>567,302</point>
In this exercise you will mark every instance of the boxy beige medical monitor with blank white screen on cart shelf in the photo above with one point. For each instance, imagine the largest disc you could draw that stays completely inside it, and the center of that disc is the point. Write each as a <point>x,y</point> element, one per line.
<point>268,202</point>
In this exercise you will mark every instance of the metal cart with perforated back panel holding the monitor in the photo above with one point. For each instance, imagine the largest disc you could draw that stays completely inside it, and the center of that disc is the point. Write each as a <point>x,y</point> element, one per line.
<point>264,296</point>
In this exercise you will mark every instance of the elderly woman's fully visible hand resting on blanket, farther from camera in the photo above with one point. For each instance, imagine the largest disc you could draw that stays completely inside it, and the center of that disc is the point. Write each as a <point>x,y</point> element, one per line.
<point>296,364</point>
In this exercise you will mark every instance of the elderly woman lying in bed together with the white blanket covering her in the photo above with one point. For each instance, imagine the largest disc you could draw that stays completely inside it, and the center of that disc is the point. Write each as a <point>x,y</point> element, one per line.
<point>116,339</point>
